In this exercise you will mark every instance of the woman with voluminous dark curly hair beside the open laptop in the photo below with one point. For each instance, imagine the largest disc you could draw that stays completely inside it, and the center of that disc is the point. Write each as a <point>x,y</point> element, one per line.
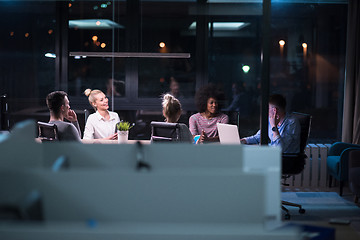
<point>208,100</point>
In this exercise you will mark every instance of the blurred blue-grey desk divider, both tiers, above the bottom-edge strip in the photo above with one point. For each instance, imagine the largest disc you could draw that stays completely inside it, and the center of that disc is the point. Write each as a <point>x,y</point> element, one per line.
<point>209,183</point>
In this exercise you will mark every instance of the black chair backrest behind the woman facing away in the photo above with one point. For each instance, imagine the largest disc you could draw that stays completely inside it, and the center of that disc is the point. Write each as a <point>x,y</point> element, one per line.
<point>165,132</point>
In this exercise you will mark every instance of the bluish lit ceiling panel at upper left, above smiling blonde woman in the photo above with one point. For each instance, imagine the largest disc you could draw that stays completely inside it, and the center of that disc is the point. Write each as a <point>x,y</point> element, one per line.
<point>94,24</point>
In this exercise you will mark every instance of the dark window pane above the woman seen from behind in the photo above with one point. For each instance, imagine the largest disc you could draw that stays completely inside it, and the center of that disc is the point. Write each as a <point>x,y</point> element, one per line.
<point>165,29</point>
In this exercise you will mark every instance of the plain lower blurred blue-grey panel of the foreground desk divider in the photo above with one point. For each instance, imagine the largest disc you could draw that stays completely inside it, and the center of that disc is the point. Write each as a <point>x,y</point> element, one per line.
<point>205,196</point>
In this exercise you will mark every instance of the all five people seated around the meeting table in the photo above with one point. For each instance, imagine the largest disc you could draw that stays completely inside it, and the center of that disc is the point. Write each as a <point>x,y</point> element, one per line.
<point>284,130</point>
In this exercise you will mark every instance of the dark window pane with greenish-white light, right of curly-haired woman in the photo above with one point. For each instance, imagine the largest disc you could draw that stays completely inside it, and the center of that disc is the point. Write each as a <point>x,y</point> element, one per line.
<point>235,67</point>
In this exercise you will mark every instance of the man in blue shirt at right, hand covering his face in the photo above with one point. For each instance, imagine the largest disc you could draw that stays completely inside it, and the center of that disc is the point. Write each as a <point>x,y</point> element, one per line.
<point>283,130</point>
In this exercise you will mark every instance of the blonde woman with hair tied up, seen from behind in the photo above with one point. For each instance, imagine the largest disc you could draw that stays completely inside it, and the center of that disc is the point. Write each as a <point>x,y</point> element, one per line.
<point>172,112</point>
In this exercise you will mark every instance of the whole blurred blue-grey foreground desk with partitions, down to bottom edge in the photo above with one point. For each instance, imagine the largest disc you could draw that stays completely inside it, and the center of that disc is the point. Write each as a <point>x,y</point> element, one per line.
<point>142,191</point>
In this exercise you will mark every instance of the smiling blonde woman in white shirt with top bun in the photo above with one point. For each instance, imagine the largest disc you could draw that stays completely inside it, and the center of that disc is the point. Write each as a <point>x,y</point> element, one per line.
<point>101,124</point>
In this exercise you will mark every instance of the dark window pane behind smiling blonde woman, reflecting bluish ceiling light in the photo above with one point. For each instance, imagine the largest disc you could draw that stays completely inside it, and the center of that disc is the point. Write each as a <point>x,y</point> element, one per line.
<point>94,27</point>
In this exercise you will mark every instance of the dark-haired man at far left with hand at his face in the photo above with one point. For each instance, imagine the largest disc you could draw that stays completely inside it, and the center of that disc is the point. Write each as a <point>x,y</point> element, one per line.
<point>58,104</point>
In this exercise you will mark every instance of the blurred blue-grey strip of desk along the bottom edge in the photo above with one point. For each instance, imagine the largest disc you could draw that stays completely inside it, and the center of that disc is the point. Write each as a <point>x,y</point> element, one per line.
<point>144,231</point>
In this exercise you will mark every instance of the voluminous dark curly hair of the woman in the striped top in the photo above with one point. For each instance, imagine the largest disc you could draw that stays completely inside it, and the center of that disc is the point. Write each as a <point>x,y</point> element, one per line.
<point>206,92</point>
